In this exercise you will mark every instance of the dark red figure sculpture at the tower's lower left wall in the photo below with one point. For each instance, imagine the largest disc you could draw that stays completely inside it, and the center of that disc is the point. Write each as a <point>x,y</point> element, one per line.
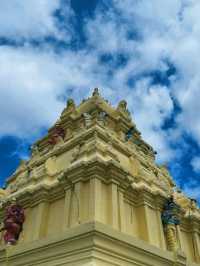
<point>13,223</point>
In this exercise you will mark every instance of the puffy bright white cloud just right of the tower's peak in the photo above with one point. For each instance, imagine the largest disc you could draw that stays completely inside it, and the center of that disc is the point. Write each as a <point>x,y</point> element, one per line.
<point>151,105</point>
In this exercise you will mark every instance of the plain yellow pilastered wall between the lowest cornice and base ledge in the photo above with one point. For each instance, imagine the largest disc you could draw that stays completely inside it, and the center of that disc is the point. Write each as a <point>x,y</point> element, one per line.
<point>95,200</point>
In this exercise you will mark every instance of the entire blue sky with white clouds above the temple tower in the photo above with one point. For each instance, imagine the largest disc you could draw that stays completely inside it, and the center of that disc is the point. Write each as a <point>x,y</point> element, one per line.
<point>146,52</point>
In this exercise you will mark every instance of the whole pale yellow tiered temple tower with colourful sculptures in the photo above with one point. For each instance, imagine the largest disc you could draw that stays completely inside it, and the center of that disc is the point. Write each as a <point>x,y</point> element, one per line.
<point>91,194</point>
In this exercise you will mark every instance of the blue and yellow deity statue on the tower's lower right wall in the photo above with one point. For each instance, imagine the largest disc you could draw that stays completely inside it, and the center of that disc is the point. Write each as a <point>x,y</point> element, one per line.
<point>170,220</point>
